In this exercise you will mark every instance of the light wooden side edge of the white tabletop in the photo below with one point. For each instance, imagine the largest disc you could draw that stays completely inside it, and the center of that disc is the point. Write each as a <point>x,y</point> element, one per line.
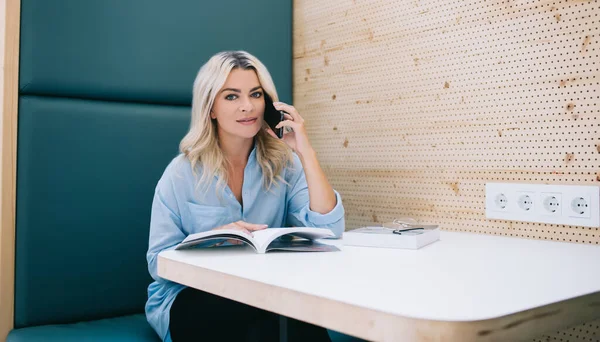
<point>374,325</point>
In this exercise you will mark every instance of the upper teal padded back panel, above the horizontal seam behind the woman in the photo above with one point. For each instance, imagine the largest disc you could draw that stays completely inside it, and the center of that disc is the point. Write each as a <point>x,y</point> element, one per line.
<point>145,50</point>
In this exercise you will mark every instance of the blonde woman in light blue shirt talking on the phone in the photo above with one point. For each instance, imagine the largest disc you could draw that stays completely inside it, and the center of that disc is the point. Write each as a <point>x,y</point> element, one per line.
<point>234,172</point>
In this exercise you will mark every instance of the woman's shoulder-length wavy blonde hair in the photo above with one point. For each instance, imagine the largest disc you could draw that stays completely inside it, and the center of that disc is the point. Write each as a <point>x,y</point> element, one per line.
<point>200,145</point>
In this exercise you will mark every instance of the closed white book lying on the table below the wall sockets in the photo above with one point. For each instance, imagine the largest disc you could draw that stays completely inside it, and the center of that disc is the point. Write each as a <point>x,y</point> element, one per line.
<point>385,238</point>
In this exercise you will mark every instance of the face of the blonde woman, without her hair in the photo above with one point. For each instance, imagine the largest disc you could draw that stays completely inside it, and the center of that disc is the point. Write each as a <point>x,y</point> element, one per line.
<point>239,106</point>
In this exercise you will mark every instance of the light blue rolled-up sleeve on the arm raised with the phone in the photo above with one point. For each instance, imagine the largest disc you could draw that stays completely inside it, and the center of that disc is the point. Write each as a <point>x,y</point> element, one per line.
<point>298,208</point>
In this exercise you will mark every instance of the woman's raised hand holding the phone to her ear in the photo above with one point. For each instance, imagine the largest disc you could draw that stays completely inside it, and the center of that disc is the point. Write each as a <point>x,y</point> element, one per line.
<point>298,139</point>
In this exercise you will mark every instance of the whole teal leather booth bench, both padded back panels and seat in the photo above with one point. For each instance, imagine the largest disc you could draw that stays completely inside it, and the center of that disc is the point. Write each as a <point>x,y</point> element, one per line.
<point>105,88</point>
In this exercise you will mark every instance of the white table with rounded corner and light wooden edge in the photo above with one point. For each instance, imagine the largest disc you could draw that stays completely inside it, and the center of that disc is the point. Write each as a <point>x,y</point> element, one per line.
<point>465,287</point>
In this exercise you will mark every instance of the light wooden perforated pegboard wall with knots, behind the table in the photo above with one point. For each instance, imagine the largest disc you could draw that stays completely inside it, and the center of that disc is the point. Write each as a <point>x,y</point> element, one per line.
<point>414,105</point>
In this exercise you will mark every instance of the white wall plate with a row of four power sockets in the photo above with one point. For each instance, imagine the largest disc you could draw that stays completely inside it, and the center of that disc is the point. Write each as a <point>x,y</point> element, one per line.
<point>576,205</point>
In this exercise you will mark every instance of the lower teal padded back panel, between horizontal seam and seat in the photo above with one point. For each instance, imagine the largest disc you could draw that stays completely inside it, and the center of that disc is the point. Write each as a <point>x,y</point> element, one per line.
<point>86,177</point>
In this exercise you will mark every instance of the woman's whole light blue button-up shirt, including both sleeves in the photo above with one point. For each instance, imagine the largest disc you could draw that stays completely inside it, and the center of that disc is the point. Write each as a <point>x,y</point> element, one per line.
<point>179,209</point>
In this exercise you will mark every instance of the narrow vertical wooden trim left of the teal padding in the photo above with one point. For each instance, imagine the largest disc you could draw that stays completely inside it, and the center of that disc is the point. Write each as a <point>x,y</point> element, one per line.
<point>10,93</point>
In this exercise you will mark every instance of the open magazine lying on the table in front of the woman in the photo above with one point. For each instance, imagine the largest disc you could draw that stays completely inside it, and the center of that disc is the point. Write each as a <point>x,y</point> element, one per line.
<point>300,239</point>
